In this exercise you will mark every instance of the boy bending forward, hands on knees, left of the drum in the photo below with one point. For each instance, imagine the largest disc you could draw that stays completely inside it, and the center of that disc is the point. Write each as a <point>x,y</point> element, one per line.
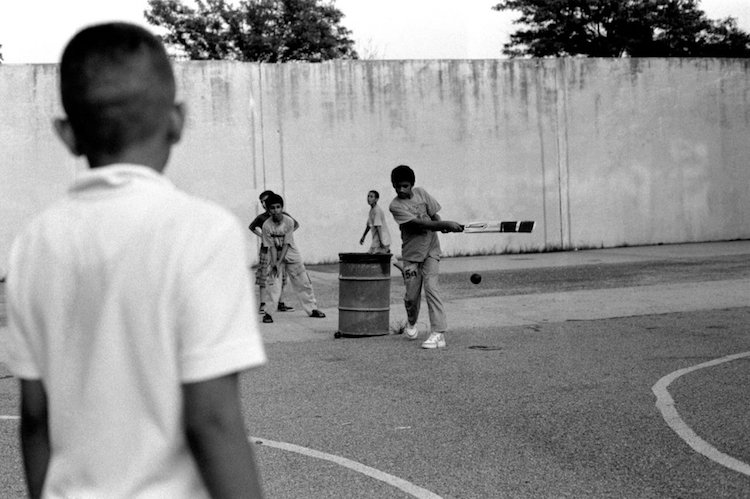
<point>285,258</point>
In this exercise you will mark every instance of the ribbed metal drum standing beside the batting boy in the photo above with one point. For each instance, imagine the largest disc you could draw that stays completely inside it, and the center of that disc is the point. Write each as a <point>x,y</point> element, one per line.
<point>364,294</point>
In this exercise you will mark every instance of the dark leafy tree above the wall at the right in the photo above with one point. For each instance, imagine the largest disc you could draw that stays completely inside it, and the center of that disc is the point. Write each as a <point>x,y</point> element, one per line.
<point>616,28</point>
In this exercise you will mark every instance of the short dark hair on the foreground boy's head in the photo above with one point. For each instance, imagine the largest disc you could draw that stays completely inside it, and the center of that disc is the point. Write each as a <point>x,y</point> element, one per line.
<point>117,86</point>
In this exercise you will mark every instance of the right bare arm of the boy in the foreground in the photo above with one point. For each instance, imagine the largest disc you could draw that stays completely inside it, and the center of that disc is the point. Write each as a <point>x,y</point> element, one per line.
<point>216,435</point>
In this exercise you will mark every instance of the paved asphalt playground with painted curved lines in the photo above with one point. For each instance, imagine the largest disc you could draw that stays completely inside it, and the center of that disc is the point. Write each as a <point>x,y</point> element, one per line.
<point>549,386</point>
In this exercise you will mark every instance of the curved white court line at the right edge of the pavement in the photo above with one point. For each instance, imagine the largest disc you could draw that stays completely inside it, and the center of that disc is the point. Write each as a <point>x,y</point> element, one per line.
<point>665,404</point>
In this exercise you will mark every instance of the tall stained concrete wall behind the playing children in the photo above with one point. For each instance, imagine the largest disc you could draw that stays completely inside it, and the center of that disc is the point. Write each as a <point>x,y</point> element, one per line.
<point>600,152</point>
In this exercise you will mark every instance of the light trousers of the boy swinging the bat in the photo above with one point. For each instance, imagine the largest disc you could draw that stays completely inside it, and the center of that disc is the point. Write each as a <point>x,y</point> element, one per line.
<point>419,276</point>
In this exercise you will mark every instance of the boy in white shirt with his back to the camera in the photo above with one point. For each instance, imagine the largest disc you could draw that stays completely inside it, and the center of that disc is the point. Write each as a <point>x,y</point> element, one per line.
<point>130,312</point>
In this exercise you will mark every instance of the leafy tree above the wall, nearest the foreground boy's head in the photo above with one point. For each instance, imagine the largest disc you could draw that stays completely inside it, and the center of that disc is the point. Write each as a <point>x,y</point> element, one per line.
<point>253,30</point>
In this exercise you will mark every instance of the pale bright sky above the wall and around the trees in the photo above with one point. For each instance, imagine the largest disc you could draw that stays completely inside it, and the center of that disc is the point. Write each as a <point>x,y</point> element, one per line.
<point>36,32</point>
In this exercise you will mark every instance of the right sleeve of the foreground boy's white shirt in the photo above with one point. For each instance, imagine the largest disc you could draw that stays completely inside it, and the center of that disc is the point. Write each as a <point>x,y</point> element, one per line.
<point>218,333</point>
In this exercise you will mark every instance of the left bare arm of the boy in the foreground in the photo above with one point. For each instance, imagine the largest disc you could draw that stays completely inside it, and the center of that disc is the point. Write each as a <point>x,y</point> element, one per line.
<point>34,435</point>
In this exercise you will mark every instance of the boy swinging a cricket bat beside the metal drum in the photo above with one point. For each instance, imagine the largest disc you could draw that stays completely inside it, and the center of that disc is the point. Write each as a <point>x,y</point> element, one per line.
<point>416,213</point>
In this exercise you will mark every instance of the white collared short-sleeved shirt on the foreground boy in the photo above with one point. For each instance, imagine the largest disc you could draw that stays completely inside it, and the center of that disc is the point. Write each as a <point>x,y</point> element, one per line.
<point>118,295</point>
